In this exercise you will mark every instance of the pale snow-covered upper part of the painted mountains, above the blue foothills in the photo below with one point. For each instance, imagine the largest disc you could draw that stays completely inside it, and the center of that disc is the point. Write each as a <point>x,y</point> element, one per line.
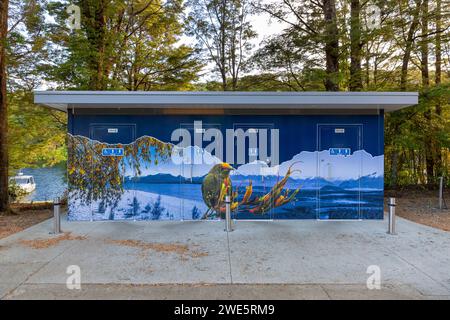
<point>305,165</point>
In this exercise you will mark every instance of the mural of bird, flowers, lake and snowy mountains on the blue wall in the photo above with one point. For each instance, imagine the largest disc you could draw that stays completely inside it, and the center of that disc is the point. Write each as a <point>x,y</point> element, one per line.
<point>146,182</point>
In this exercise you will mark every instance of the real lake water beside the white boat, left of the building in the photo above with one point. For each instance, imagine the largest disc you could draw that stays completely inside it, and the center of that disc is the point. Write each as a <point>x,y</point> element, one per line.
<point>50,183</point>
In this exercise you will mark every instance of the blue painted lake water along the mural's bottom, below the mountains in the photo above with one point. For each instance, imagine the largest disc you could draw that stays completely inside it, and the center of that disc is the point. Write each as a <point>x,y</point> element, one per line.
<point>326,203</point>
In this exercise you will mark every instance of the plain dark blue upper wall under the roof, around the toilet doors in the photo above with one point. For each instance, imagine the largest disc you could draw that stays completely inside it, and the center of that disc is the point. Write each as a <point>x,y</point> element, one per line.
<point>296,131</point>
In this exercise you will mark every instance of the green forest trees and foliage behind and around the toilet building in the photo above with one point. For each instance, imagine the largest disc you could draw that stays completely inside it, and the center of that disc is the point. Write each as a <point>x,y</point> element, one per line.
<point>334,45</point>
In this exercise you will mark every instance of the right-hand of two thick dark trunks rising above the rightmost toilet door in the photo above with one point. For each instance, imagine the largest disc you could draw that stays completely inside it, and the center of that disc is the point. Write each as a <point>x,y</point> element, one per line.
<point>355,47</point>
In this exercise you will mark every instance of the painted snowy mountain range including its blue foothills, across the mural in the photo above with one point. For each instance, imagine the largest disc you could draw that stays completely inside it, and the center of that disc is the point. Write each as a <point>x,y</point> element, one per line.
<point>311,170</point>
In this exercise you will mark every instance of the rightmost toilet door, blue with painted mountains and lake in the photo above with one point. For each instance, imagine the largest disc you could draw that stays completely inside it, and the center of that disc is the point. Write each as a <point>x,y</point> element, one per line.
<point>339,164</point>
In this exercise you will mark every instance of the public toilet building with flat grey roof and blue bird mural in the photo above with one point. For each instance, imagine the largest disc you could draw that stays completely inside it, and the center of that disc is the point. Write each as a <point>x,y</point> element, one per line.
<point>177,155</point>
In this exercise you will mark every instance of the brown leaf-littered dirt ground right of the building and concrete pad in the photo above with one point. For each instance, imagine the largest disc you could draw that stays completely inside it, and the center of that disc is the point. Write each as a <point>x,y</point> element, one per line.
<point>421,206</point>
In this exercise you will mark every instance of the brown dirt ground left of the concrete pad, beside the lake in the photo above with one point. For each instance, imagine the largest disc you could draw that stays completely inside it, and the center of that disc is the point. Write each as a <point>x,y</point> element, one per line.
<point>25,216</point>
